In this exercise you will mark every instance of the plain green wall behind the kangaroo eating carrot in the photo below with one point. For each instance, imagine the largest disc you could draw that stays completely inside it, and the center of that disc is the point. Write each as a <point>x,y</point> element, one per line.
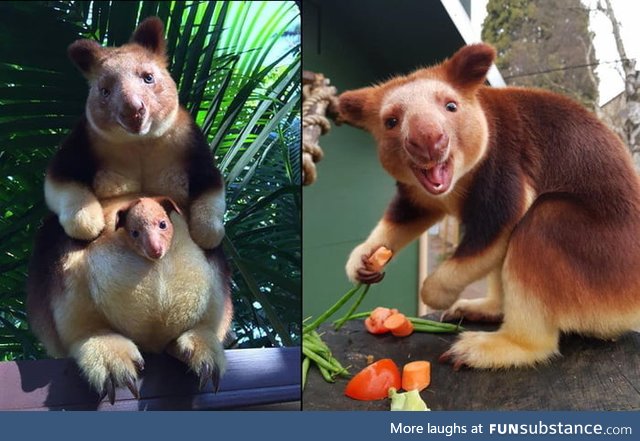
<point>352,190</point>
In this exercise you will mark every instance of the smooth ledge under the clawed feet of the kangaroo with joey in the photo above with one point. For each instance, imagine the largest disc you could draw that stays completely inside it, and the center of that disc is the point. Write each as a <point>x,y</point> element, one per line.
<point>254,377</point>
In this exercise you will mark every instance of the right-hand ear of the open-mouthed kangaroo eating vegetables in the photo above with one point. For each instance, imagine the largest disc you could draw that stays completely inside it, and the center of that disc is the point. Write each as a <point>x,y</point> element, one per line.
<point>469,66</point>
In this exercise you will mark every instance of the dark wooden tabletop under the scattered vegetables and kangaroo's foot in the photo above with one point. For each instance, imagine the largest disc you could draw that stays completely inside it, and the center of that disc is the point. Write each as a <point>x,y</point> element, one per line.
<point>590,375</point>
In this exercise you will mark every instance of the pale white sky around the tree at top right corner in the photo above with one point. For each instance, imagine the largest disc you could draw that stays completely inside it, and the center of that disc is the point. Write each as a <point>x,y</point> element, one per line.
<point>628,13</point>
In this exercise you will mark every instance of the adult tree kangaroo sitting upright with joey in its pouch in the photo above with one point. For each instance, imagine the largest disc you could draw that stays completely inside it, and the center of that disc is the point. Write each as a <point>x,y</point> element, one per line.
<point>133,139</point>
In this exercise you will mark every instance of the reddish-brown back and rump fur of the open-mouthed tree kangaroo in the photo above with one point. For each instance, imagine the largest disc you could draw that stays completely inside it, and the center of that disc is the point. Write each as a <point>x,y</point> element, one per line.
<point>585,223</point>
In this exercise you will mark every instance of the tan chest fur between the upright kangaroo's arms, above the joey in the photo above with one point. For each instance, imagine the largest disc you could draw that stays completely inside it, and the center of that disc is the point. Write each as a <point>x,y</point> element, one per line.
<point>152,167</point>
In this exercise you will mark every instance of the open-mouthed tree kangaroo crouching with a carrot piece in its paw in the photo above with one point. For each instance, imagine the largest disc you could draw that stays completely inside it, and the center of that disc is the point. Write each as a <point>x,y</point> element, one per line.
<point>547,196</point>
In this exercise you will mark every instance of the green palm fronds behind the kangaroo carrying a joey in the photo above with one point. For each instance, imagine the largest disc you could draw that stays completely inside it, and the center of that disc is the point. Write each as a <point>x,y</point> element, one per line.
<point>237,66</point>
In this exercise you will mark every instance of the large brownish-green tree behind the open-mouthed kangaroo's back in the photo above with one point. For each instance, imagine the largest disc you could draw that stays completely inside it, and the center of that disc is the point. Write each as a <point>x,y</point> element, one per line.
<point>544,44</point>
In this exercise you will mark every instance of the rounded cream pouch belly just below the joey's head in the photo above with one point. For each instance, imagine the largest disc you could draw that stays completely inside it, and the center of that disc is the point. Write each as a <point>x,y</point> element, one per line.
<point>151,302</point>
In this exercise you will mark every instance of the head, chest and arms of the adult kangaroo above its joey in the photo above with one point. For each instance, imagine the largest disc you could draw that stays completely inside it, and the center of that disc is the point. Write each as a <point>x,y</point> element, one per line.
<point>134,138</point>
